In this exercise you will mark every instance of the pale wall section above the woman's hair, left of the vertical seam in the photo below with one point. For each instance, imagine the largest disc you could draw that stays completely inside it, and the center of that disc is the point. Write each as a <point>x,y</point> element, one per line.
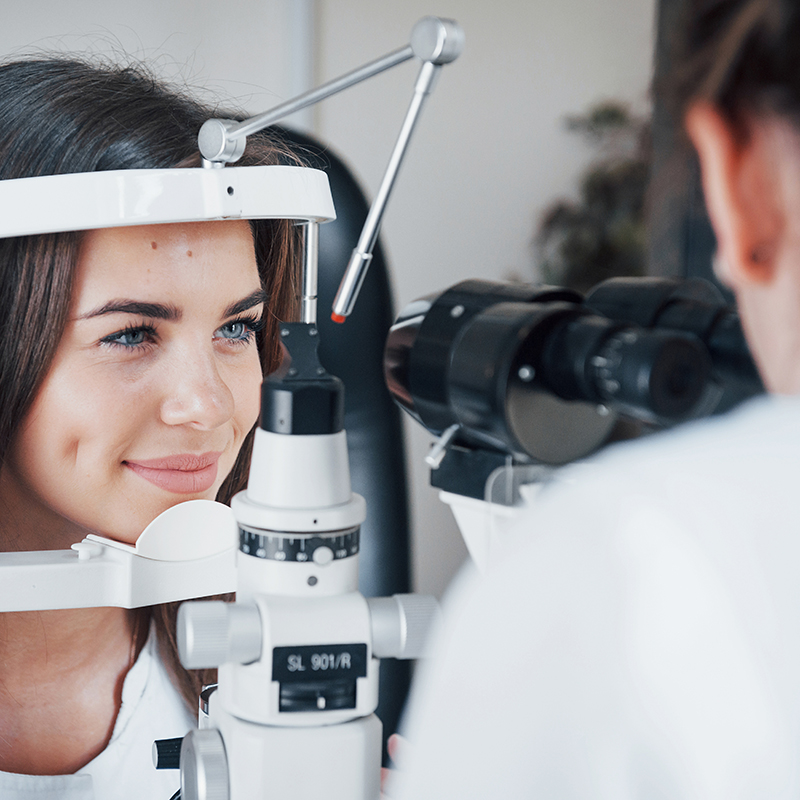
<point>242,49</point>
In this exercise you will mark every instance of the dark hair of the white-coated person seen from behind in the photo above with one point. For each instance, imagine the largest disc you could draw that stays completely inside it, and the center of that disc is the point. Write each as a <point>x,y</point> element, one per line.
<point>741,55</point>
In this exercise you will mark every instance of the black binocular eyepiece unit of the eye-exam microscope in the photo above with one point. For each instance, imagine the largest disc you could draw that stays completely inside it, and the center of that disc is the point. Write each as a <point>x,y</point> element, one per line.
<point>541,373</point>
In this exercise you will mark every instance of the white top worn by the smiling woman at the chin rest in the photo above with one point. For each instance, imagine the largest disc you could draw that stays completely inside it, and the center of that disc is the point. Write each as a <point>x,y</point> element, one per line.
<point>151,709</point>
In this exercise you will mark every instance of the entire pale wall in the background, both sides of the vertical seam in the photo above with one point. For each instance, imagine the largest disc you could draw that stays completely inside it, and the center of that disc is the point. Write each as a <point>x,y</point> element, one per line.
<point>490,152</point>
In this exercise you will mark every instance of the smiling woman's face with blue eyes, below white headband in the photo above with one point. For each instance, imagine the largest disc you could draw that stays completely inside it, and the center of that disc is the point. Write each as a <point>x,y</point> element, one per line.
<point>154,385</point>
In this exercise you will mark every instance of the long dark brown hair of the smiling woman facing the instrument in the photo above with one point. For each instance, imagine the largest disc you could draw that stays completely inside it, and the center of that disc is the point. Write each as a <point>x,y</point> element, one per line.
<point>62,115</point>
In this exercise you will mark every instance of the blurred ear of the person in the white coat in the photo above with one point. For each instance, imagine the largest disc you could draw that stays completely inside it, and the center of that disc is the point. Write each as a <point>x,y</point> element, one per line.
<point>743,188</point>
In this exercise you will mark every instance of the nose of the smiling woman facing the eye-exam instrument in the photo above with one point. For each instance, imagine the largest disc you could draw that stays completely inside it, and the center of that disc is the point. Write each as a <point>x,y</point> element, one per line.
<point>196,394</point>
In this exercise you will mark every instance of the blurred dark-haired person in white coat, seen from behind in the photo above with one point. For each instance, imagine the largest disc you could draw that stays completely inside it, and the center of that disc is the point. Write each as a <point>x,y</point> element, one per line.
<point>643,639</point>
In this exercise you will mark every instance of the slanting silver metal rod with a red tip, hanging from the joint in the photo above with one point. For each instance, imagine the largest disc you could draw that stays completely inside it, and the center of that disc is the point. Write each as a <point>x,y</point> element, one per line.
<point>362,255</point>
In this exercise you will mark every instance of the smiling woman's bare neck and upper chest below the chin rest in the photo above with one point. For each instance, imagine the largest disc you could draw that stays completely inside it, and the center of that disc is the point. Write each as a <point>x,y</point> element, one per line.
<point>61,676</point>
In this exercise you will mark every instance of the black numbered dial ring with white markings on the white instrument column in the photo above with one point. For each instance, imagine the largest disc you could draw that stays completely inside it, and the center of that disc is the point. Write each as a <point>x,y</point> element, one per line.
<point>300,548</point>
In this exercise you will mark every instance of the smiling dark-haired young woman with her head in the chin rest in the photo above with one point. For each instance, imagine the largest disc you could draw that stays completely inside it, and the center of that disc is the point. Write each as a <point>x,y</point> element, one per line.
<point>130,369</point>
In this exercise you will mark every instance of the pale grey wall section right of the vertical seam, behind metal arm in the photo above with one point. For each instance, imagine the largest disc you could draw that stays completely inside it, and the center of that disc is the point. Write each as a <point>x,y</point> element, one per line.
<point>490,153</point>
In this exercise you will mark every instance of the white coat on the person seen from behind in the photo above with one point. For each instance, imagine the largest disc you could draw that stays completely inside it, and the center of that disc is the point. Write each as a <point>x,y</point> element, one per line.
<point>642,637</point>
